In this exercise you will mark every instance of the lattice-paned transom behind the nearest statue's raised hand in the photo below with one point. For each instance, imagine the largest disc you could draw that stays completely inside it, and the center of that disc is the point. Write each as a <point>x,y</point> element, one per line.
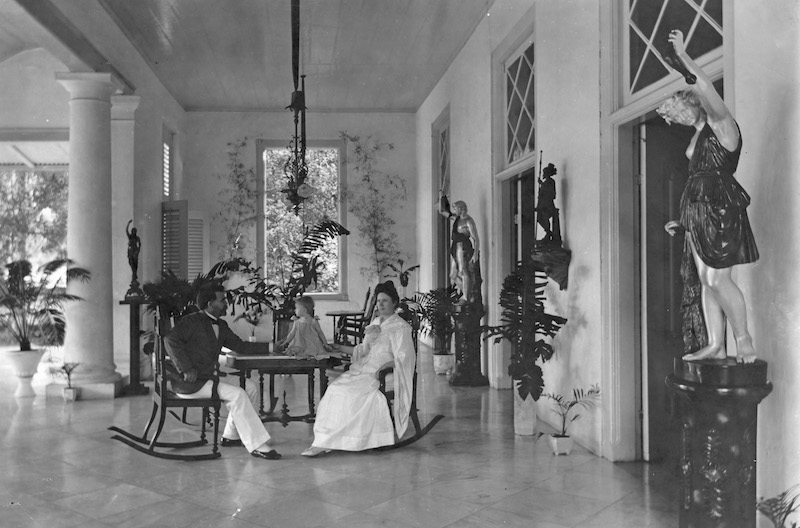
<point>649,23</point>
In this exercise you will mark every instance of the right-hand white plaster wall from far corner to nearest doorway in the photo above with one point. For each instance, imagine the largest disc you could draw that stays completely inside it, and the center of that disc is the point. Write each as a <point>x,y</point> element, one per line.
<point>566,35</point>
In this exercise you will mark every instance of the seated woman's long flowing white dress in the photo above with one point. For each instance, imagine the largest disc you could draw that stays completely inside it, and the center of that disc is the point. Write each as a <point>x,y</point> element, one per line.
<point>353,414</point>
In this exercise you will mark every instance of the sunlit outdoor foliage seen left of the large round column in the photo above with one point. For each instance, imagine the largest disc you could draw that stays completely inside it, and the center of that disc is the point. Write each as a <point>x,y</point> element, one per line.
<point>33,213</point>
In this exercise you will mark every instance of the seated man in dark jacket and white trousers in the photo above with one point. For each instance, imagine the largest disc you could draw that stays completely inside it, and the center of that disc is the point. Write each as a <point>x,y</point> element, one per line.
<point>194,346</point>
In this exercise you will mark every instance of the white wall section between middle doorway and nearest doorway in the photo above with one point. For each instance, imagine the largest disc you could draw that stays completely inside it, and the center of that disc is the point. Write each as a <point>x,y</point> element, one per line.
<point>567,36</point>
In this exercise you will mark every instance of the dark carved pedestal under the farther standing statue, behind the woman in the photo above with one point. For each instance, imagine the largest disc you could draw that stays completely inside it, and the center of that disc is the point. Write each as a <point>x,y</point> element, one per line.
<point>468,346</point>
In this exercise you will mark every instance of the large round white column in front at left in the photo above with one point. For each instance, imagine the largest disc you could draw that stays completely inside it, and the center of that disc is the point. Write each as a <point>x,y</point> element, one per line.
<point>89,323</point>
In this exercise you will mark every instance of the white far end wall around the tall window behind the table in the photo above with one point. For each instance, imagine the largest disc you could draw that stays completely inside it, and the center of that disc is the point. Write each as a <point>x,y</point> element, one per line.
<point>206,140</point>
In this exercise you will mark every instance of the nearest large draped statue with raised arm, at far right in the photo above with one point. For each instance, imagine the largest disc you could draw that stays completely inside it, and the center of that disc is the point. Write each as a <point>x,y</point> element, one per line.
<point>713,215</point>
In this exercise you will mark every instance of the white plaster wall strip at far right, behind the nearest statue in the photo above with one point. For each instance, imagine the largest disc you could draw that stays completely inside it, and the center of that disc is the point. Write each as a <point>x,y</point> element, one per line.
<point>766,74</point>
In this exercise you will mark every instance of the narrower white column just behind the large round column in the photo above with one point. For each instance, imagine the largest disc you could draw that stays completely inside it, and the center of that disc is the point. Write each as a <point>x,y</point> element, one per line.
<point>123,108</point>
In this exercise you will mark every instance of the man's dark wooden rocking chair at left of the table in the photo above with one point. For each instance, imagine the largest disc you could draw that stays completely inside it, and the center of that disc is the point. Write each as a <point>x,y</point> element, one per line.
<point>164,400</point>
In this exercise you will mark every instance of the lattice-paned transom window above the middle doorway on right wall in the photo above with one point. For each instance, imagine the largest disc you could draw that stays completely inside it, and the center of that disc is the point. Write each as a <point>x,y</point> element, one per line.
<point>520,122</point>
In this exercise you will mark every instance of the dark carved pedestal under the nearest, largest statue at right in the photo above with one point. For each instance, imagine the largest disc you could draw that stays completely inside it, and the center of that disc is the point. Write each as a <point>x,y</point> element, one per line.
<point>719,417</point>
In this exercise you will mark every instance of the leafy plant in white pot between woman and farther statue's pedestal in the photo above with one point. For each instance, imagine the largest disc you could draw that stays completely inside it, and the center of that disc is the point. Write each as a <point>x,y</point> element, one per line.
<point>436,310</point>
